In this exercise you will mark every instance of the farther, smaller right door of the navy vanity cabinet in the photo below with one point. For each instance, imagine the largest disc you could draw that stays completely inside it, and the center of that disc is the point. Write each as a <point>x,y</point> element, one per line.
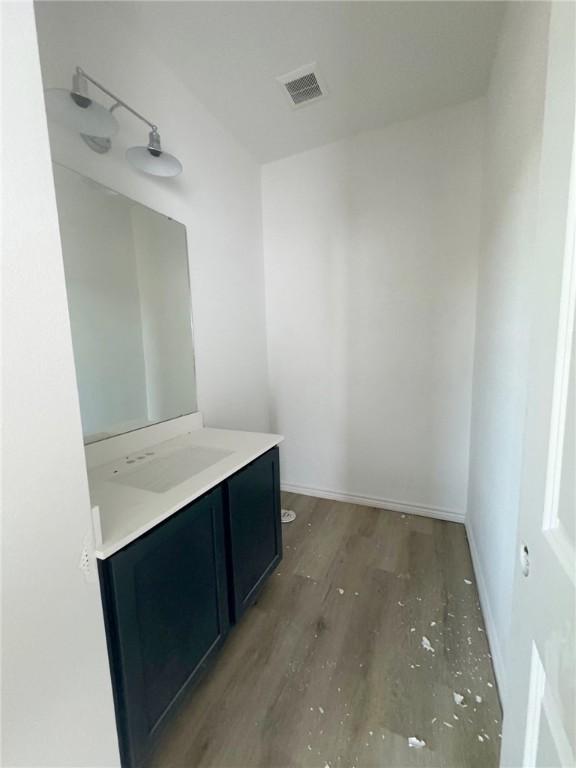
<point>254,528</point>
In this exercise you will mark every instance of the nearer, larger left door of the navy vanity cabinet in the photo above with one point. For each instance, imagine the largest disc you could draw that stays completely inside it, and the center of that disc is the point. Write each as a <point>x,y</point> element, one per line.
<point>166,606</point>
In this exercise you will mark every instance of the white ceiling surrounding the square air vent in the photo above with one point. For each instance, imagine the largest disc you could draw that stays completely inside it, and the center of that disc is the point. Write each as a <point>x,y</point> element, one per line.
<point>382,62</point>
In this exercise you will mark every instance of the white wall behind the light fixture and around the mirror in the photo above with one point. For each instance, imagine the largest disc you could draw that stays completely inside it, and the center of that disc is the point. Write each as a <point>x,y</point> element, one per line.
<point>217,197</point>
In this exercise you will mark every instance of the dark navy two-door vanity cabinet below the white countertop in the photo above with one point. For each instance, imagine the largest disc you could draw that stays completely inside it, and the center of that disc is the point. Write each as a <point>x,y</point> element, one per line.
<point>170,596</point>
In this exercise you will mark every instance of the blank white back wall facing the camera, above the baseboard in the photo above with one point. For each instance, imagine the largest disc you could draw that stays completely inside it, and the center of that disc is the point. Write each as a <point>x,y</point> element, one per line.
<point>371,256</point>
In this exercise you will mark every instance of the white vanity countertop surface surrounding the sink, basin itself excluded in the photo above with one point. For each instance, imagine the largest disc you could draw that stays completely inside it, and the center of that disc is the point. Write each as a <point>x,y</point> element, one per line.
<point>121,513</point>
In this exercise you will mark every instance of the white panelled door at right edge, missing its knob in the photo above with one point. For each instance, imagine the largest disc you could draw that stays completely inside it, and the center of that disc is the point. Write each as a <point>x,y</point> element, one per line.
<point>539,703</point>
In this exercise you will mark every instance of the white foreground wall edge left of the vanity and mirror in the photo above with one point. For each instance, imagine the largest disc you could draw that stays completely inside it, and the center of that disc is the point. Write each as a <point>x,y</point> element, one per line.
<point>57,705</point>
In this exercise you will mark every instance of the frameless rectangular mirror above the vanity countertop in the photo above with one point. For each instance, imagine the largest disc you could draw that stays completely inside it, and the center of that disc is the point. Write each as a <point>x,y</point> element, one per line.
<point>128,291</point>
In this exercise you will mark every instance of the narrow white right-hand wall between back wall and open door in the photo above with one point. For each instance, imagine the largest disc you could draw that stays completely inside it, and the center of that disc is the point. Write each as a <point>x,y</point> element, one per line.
<point>515,114</point>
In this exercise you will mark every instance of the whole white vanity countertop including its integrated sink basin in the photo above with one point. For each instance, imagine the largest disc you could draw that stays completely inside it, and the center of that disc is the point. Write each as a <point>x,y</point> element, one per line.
<point>137,490</point>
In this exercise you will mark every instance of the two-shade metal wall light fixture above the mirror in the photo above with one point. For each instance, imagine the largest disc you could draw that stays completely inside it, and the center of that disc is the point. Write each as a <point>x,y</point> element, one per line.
<point>97,124</point>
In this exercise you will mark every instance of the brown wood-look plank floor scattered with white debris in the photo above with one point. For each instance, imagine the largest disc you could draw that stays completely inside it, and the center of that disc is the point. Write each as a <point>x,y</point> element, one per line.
<point>330,667</point>
